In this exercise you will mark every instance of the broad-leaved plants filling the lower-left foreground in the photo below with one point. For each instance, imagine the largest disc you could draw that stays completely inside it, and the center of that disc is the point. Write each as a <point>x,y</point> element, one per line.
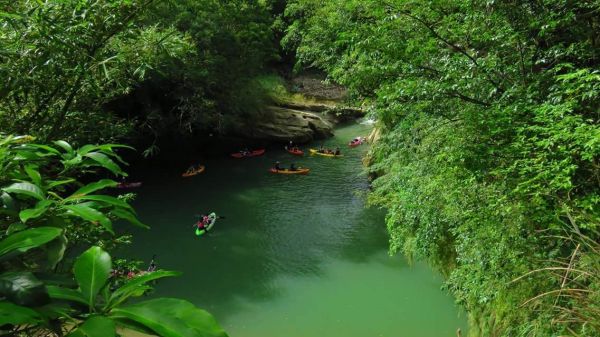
<point>47,216</point>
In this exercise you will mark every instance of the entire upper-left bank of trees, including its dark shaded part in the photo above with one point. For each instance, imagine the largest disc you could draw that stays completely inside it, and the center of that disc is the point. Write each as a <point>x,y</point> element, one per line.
<point>97,71</point>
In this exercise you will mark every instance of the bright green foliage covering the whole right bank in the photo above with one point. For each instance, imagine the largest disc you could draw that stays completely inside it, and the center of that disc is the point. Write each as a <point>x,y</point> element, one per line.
<point>488,156</point>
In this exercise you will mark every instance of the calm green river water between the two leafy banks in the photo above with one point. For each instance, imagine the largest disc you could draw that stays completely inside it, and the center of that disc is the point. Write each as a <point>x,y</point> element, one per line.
<point>296,256</point>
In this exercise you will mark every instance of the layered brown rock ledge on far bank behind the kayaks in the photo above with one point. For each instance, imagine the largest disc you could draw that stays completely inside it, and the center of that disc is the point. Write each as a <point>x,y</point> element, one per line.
<point>285,124</point>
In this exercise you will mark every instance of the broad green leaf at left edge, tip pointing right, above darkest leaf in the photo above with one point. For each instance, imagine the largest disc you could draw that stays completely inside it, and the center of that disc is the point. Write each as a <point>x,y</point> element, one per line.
<point>27,239</point>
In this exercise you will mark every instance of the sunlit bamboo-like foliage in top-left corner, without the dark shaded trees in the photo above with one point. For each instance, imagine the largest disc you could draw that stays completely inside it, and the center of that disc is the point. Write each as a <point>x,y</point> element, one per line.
<point>61,62</point>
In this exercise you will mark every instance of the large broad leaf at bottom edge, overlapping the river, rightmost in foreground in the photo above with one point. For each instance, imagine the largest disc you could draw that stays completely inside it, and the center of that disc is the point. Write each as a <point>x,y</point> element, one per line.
<point>171,317</point>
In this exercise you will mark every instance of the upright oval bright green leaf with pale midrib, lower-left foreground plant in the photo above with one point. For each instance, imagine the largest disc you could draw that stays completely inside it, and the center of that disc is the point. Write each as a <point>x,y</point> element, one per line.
<point>92,270</point>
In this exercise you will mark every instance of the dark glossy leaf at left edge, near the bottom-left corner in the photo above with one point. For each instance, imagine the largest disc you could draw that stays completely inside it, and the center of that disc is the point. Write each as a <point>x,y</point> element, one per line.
<point>23,288</point>
